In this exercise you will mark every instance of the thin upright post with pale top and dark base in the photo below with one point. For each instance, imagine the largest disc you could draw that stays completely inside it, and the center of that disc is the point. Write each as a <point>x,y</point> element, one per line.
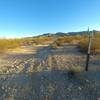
<point>89,49</point>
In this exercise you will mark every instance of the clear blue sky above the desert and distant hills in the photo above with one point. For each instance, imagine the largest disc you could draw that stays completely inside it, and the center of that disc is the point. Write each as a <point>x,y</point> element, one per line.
<point>21,18</point>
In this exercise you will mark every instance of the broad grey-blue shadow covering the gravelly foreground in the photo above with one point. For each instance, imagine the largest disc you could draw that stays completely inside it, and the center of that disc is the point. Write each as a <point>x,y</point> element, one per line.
<point>50,85</point>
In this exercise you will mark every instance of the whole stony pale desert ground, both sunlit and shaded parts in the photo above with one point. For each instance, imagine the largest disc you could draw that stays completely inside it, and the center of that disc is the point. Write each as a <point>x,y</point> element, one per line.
<point>39,73</point>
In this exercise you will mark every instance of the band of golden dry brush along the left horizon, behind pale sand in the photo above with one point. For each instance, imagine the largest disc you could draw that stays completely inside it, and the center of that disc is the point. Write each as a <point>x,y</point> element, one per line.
<point>6,44</point>
